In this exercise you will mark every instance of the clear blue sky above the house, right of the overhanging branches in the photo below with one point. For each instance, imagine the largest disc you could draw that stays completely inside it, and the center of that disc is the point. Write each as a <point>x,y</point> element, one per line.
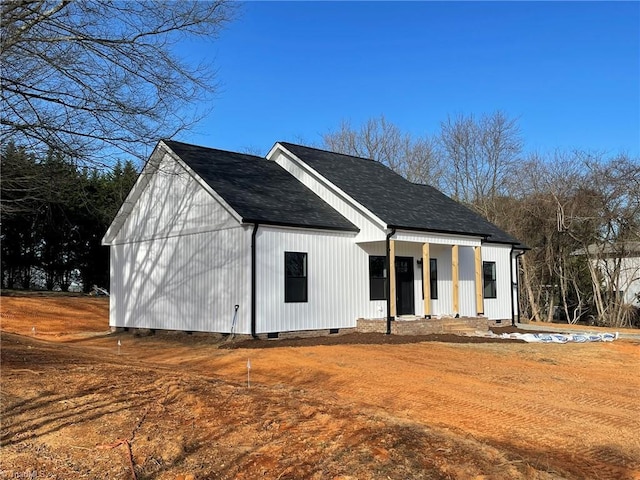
<point>569,71</point>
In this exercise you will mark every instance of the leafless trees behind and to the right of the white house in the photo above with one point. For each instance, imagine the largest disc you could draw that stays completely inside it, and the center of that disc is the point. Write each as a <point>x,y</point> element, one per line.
<point>578,212</point>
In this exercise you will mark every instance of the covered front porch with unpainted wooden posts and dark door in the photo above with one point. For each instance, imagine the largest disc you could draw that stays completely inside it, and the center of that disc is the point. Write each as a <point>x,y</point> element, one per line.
<point>429,275</point>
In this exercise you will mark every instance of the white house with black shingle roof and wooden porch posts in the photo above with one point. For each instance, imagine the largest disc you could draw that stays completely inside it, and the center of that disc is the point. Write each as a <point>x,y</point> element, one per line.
<point>304,239</point>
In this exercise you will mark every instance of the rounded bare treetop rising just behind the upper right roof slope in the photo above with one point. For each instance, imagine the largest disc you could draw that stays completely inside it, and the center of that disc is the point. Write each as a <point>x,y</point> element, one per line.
<point>414,158</point>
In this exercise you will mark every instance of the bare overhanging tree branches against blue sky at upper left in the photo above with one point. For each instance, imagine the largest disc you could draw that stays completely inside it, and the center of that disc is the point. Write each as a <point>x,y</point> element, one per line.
<point>97,76</point>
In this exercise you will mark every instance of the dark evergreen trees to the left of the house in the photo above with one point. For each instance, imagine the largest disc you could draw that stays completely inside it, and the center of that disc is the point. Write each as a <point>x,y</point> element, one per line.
<point>54,215</point>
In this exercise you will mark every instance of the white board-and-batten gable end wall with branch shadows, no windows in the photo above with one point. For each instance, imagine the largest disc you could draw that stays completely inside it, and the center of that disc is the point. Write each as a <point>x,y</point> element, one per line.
<point>180,261</point>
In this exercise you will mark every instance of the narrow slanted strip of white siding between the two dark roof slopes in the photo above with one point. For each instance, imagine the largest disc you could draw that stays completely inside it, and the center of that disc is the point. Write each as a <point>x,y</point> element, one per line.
<point>371,228</point>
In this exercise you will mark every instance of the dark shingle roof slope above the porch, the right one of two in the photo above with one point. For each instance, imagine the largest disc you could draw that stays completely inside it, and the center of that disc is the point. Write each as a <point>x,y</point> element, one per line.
<point>395,200</point>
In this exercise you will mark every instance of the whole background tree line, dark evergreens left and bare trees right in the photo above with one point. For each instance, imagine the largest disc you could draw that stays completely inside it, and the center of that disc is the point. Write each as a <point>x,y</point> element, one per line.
<point>577,212</point>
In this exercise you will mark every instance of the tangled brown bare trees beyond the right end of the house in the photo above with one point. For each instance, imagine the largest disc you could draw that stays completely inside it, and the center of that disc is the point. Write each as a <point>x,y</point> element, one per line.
<point>580,214</point>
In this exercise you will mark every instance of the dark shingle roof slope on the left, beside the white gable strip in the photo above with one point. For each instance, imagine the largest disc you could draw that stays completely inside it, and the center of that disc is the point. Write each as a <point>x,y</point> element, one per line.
<point>260,190</point>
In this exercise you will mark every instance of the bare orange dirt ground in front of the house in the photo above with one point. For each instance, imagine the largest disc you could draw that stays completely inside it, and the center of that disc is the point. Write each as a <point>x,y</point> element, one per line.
<point>178,406</point>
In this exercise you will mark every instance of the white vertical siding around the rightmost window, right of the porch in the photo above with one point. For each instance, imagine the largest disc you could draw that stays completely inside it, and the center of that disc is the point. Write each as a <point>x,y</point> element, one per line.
<point>499,308</point>
